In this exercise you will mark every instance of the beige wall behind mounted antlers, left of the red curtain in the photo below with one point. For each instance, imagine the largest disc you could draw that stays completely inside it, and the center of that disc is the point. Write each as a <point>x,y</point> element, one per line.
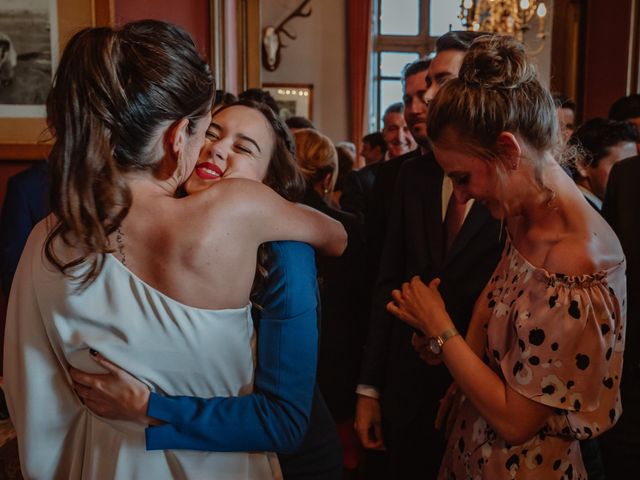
<point>318,56</point>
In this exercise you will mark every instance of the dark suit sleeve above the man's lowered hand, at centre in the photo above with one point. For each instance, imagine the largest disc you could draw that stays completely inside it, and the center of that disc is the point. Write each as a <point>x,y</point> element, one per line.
<point>389,277</point>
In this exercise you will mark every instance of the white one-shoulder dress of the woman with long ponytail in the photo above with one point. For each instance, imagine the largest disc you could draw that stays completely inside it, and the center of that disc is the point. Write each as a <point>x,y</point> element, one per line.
<point>174,348</point>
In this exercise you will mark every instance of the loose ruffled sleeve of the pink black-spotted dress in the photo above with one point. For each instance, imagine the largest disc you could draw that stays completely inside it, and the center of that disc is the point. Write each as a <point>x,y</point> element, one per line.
<point>566,339</point>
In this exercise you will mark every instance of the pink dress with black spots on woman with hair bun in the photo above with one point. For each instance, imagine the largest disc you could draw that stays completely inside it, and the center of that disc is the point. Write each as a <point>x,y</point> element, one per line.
<point>556,339</point>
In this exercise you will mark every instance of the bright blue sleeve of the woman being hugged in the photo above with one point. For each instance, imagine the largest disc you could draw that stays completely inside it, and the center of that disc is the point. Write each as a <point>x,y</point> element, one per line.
<point>276,415</point>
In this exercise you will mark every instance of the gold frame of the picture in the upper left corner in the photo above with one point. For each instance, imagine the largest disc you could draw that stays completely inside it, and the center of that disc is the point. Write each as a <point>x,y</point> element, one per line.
<point>26,138</point>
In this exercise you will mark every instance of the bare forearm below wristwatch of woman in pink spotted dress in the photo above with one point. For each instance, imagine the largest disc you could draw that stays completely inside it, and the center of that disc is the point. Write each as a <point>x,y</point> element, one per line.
<point>514,417</point>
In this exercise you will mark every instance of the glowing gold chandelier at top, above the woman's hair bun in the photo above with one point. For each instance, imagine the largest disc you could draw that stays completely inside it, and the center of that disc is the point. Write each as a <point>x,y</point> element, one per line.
<point>512,17</point>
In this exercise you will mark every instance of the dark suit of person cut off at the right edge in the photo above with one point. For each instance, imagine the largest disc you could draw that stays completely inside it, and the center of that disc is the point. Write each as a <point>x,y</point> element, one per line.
<point>620,445</point>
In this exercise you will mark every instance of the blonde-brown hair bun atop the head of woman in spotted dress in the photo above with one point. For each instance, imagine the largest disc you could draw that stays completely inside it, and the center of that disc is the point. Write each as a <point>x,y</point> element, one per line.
<point>496,61</point>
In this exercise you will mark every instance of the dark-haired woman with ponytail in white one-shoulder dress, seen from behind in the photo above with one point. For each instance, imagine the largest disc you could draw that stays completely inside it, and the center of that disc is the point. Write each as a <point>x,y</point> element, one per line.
<point>123,267</point>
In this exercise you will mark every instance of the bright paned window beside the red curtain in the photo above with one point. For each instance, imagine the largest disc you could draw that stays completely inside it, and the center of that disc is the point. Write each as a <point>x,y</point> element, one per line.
<point>403,31</point>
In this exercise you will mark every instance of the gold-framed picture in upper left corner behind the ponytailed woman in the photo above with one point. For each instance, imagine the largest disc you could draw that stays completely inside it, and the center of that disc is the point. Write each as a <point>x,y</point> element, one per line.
<point>33,34</point>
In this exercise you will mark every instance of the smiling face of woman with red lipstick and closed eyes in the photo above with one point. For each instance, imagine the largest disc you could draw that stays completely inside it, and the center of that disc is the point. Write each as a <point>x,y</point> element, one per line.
<point>240,143</point>
